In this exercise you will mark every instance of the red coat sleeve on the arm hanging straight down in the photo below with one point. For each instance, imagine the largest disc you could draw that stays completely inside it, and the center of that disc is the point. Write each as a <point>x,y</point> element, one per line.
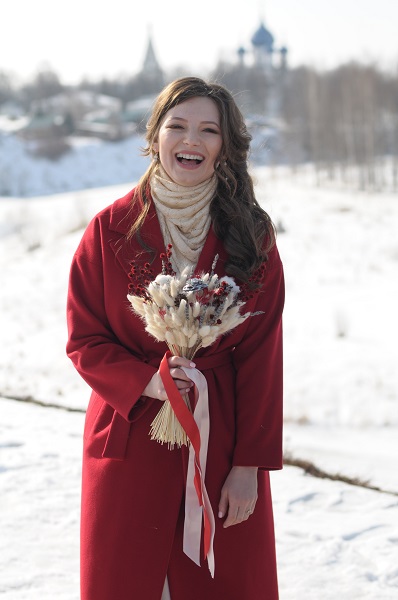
<point>259,377</point>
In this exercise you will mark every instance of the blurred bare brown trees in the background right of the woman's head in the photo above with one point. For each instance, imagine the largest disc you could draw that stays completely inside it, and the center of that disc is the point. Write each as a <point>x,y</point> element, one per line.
<point>344,121</point>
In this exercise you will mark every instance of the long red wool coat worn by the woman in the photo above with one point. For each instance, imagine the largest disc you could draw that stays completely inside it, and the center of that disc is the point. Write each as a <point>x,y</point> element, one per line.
<point>133,487</point>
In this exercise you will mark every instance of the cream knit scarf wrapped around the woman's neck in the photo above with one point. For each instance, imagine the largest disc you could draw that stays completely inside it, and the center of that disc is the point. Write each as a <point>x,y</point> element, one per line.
<point>184,216</point>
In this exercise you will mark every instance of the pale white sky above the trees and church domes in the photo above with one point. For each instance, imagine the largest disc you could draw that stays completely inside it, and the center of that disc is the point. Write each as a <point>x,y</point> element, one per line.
<point>86,38</point>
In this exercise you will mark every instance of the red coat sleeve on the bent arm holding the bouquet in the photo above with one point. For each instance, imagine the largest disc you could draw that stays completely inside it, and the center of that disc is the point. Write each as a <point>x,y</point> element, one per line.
<point>109,368</point>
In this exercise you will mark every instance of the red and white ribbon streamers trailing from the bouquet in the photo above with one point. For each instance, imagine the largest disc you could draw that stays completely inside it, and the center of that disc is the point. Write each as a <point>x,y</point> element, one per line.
<point>197,426</point>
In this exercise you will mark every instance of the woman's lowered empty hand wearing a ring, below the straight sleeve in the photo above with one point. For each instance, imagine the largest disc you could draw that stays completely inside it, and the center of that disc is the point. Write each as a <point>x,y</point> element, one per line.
<point>238,495</point>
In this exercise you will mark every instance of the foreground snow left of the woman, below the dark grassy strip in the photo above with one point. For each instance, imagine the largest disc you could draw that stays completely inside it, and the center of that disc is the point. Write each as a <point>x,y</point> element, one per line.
<point>39,518</point>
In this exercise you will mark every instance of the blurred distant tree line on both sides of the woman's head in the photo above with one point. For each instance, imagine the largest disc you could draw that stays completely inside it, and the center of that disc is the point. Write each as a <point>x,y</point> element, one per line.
<point>343,120</point>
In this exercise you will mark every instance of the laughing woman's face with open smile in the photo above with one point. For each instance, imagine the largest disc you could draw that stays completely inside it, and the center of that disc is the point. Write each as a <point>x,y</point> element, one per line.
<point>189,141</point>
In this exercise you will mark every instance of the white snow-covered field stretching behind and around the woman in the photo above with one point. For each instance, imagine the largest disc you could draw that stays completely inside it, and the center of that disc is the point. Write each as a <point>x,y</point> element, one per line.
<point>340,252</point>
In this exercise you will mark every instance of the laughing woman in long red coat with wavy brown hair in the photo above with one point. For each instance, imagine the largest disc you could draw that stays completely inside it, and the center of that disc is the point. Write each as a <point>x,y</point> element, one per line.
<point>198,196</point>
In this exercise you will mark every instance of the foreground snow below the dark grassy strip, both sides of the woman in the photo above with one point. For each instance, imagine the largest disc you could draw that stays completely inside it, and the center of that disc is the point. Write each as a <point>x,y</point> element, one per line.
<point>334,540</point>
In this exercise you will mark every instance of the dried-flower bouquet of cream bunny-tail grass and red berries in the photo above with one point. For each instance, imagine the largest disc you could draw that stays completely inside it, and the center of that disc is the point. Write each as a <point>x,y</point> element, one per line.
<point>188,313</point>
